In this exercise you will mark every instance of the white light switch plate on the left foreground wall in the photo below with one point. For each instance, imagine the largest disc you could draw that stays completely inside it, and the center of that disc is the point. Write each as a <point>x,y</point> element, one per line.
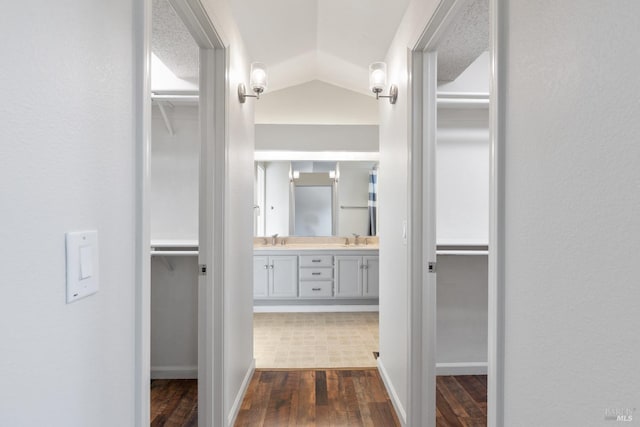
<point>82,264</point>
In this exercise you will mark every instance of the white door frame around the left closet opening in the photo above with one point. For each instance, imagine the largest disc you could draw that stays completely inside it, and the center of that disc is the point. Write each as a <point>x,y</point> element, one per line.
<point>213,140</point>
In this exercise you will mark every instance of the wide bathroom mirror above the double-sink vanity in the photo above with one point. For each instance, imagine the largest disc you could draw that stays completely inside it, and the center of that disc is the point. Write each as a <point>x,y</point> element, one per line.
<point>315,198</point>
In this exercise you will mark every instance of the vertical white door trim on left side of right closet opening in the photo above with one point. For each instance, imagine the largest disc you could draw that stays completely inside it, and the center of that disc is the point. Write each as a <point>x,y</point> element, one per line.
<point>422,291</point>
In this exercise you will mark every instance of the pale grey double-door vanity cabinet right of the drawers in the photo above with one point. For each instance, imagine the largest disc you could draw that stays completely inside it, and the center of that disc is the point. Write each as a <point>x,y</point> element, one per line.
<point>356,276</point>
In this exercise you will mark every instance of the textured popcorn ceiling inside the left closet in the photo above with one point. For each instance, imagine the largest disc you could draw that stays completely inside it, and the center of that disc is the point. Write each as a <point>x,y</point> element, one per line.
<point>172,43</point>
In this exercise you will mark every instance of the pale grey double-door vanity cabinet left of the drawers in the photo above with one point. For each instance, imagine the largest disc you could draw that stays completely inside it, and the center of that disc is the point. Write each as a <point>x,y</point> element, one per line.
<point>275,276</point>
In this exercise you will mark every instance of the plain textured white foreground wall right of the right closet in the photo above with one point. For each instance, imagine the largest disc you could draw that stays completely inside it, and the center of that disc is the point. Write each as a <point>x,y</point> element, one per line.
<point>572,234</point>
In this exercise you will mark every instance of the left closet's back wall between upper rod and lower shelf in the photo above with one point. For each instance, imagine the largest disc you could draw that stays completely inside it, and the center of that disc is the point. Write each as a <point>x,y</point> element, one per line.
<point>173,199</point>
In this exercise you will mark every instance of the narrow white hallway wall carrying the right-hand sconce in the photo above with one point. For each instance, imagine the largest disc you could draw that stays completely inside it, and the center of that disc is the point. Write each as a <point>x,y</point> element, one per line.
<point>393,182</point>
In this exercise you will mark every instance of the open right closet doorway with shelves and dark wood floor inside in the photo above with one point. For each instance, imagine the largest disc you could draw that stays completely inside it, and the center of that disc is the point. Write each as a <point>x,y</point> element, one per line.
<point>452,189</point>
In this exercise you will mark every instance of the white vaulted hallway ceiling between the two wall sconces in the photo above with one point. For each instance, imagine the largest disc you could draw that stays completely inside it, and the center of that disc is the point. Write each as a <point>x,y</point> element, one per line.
<point>329,40</point>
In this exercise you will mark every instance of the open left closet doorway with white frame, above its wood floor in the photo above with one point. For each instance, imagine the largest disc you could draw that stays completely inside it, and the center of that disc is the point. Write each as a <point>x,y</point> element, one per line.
<point>182,136</point>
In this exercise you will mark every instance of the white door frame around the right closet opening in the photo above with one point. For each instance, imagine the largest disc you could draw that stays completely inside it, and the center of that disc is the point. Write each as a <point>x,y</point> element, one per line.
<point>422,244</point>
